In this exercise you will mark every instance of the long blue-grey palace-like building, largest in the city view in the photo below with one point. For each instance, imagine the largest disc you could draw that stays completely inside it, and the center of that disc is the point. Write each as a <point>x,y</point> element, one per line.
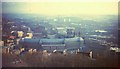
<point>52,44</point>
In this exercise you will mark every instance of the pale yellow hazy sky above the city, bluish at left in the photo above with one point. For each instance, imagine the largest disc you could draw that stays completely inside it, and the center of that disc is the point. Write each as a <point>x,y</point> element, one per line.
<point>61,8</point>
